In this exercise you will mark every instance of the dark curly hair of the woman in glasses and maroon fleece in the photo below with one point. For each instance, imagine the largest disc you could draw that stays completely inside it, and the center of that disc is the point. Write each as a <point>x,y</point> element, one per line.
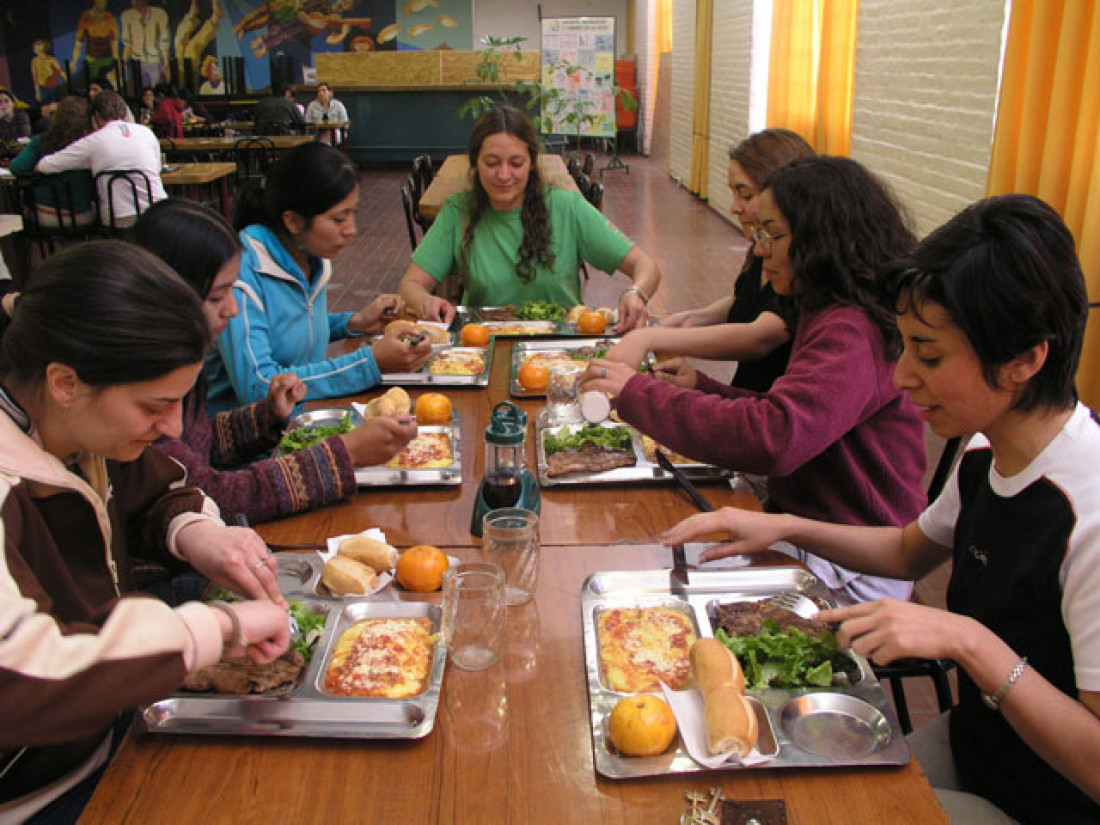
<point>846,228</point>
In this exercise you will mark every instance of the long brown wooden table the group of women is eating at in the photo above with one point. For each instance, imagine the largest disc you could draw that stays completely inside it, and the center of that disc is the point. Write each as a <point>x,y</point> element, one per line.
<point>511,744</point>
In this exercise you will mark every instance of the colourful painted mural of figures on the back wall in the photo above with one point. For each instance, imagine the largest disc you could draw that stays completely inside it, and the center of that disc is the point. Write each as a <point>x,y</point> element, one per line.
<point>45,43</point>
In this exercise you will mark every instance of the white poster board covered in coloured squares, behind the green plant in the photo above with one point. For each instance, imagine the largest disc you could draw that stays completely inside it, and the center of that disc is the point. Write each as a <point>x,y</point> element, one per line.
<point>589,46</point>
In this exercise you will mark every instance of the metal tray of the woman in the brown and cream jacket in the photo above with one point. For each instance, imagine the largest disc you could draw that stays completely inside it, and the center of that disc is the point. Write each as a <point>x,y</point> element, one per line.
<point>307,711</point>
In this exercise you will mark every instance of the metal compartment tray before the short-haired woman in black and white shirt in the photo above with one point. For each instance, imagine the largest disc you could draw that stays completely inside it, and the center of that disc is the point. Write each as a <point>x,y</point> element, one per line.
<point>842,725</point>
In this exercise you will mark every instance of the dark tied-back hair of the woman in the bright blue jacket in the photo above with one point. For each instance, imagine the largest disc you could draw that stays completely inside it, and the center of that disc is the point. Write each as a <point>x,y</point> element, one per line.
<point>310,180</point>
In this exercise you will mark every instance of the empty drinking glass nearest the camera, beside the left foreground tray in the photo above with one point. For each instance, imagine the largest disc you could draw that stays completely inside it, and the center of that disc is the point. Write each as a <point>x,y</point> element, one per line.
<point>475,614</point>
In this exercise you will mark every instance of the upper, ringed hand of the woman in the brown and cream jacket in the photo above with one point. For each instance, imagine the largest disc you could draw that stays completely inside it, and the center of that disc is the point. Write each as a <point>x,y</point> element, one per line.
<point>232,557</point>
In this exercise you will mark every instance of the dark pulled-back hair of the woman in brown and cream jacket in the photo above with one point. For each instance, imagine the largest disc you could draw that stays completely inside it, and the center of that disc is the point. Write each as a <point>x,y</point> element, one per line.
<point>109,310</point>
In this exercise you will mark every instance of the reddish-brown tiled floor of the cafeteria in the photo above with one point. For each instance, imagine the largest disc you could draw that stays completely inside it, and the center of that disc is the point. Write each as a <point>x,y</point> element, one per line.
<point>698,250</point>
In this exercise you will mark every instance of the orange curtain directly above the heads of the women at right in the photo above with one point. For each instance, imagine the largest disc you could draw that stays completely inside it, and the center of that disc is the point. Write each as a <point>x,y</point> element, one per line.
<point>812,71</point>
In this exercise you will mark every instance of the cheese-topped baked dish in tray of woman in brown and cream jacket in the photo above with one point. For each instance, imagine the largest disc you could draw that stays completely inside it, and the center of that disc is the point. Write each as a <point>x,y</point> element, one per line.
<point>383,658</point>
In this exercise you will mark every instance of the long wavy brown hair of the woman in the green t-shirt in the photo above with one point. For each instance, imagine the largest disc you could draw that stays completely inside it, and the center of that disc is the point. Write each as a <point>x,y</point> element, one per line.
<point>535,249</point>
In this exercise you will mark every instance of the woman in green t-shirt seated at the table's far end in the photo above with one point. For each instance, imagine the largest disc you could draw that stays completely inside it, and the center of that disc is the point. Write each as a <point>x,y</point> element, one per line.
<point>513,239</point>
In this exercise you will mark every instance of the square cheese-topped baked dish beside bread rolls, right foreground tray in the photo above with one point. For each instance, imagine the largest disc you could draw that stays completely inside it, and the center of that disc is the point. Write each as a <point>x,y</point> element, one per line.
<point>643,646</point>
